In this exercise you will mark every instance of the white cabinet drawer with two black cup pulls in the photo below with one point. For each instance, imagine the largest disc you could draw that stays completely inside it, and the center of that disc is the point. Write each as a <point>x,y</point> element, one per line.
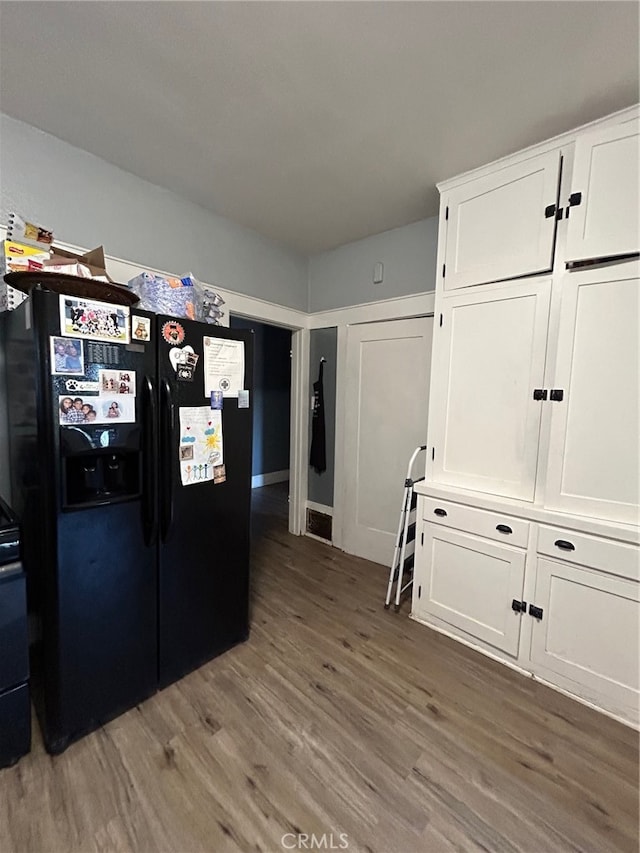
<point>491,525</point>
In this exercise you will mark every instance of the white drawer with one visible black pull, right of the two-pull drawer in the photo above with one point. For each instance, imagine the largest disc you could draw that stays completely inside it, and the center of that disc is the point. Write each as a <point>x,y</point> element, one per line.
<point>616,558</point>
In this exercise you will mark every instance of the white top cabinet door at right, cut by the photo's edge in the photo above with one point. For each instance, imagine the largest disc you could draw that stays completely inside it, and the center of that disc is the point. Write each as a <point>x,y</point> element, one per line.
<point>603,212</point>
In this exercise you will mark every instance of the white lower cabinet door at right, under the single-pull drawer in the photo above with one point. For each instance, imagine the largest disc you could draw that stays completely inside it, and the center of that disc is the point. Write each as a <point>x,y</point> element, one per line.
<point>587,638</point>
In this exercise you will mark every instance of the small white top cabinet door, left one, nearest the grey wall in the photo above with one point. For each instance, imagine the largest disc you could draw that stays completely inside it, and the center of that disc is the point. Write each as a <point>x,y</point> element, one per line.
<point>503,225</point>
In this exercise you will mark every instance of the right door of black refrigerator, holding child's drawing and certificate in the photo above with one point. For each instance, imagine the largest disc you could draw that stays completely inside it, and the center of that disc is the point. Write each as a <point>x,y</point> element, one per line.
<point>204,549</point>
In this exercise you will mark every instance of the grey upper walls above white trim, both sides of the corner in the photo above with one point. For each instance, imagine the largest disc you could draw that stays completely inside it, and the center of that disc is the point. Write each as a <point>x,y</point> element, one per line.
<point>89,202</point>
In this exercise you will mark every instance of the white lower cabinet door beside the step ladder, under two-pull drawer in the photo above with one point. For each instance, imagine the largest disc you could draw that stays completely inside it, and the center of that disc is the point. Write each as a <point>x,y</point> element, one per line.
<point>470,583</point>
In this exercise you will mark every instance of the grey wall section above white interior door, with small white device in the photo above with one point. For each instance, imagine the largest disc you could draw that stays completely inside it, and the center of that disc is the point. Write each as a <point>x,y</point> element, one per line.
<point>344,276</point>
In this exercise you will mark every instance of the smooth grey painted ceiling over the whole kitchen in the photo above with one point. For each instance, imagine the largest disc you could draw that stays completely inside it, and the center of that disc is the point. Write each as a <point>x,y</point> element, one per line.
<point>314,123</point>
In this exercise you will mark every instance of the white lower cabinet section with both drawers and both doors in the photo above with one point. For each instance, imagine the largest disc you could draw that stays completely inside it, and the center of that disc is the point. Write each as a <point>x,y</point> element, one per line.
<point>579,626</point>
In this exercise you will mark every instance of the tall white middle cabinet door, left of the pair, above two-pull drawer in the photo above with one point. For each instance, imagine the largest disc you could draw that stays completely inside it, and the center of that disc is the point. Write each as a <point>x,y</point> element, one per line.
<point>489,357</point>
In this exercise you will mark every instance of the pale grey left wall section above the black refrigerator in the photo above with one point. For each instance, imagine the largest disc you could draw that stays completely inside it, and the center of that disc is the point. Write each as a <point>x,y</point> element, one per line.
<point>88,202</point>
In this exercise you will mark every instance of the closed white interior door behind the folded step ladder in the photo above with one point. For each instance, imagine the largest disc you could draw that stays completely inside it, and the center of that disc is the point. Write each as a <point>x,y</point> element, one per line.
<point>387,392</point>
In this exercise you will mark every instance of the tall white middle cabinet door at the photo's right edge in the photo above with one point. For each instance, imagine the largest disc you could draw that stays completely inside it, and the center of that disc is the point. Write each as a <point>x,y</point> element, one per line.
<point>594,452</point>
